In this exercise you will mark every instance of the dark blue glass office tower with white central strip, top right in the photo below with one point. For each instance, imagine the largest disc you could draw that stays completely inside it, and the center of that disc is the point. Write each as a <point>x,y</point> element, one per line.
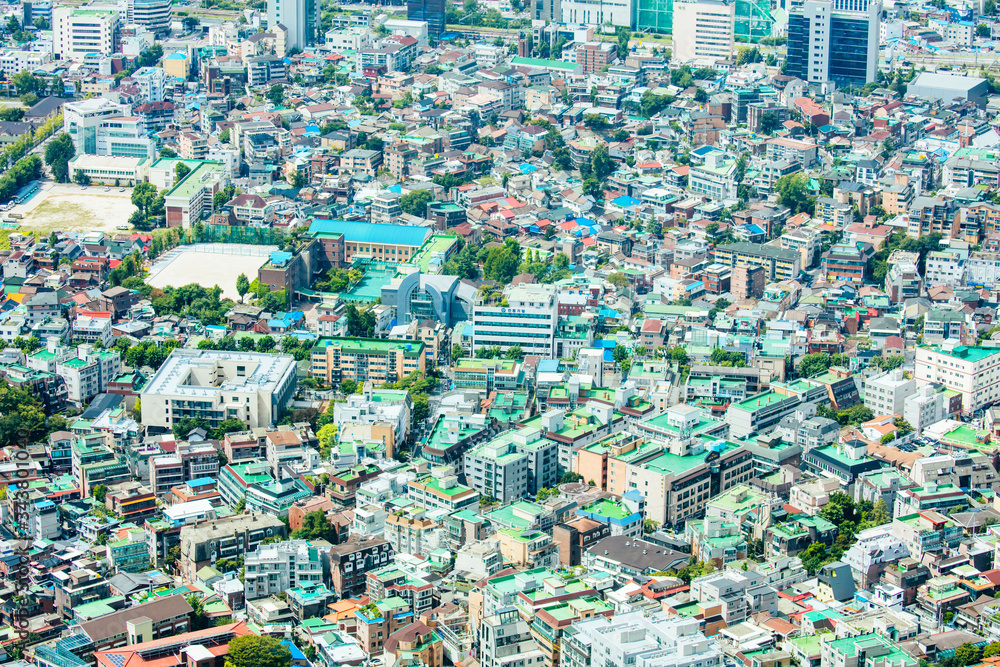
<point>834,40</point>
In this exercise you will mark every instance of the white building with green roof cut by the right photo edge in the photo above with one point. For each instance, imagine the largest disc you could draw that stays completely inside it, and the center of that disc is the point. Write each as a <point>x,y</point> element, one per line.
<point>972,371</point>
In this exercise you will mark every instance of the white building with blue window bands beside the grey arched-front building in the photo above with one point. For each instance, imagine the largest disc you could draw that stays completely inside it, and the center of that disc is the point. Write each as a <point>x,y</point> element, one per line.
<point>526,315</point>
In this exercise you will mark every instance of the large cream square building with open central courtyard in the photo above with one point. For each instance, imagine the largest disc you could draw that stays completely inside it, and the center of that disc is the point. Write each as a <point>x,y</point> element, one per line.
<point>216,385</point>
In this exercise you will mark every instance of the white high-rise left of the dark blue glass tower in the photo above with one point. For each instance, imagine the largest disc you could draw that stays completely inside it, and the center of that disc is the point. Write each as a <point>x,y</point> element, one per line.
<point>703,30</point>
